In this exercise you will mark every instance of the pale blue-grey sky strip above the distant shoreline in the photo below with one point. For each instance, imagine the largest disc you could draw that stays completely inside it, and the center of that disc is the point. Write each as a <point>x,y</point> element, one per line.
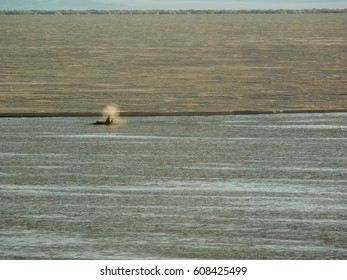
<point>168,4</point>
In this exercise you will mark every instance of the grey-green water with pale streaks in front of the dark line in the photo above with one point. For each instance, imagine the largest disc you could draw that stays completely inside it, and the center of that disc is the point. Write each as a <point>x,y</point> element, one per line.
<point>216,187</point>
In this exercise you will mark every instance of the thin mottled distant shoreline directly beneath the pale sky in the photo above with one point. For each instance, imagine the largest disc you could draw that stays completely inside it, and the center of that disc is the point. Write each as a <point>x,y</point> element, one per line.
<point>171,12</point>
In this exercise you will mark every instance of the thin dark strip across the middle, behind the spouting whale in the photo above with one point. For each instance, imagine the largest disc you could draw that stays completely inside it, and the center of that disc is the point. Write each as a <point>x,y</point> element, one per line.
<point>165,114</point>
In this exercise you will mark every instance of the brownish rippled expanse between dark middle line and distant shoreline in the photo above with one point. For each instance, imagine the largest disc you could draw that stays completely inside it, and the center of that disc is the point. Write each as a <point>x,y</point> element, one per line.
<point>150,63</point>
